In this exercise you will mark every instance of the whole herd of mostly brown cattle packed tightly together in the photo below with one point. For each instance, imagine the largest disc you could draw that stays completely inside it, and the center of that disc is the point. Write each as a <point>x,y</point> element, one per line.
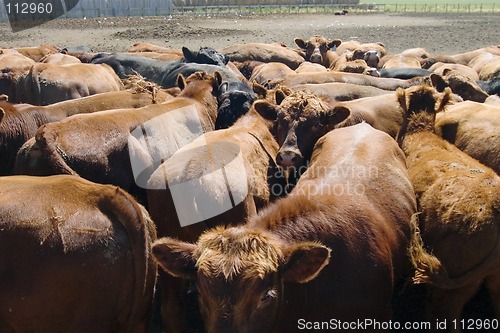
<point>351,173</point>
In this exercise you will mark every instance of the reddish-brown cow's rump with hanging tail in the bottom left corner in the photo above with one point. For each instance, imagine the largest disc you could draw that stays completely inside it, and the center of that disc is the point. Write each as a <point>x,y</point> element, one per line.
<point>75,259</point>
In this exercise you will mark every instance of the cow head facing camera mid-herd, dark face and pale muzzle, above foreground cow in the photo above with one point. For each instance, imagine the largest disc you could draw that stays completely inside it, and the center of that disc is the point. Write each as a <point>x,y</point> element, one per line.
<point>302,118</point>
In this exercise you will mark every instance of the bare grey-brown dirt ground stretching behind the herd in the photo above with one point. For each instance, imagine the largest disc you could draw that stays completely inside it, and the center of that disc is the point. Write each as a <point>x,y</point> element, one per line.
<point>438,33</point>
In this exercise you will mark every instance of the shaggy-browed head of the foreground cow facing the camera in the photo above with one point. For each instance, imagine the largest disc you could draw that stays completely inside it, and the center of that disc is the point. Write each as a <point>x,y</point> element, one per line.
<point>239,273</point>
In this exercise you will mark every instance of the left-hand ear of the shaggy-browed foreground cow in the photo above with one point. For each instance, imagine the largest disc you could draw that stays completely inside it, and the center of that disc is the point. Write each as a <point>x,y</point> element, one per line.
<point>175,257</point>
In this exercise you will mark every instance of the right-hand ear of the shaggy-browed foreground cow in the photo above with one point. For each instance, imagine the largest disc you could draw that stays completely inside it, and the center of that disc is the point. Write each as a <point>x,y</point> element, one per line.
<point>304,261</point>
